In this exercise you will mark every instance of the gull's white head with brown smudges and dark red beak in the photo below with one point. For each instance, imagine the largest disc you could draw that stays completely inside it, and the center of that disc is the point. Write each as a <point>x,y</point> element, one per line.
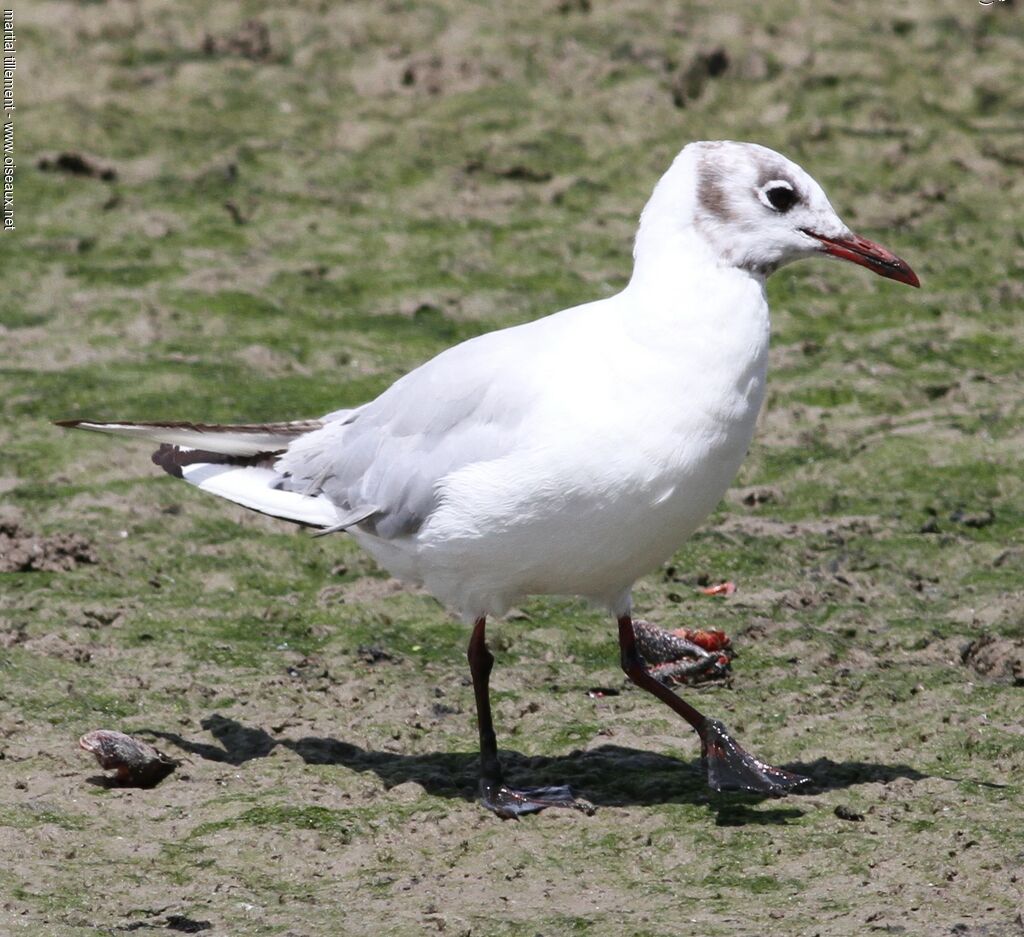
<point>755,210</point>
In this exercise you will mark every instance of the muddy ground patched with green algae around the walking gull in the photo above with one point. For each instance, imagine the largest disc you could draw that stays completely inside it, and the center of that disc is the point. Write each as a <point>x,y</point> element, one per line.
<point>254,211</point>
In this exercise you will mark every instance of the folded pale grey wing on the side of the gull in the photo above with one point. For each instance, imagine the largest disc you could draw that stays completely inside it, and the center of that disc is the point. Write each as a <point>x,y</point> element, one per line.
<point>393,454</point>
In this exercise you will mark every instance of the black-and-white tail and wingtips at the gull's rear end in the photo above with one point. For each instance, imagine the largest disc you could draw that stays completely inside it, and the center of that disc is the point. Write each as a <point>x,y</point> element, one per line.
<point>236,462</point>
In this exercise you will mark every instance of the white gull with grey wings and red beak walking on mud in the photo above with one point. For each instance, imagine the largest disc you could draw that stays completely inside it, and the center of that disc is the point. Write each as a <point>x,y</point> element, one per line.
<point>568,456</point>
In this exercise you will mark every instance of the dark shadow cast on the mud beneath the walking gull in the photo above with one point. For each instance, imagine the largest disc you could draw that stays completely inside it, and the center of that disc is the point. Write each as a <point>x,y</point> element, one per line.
<point>609,776</point>
